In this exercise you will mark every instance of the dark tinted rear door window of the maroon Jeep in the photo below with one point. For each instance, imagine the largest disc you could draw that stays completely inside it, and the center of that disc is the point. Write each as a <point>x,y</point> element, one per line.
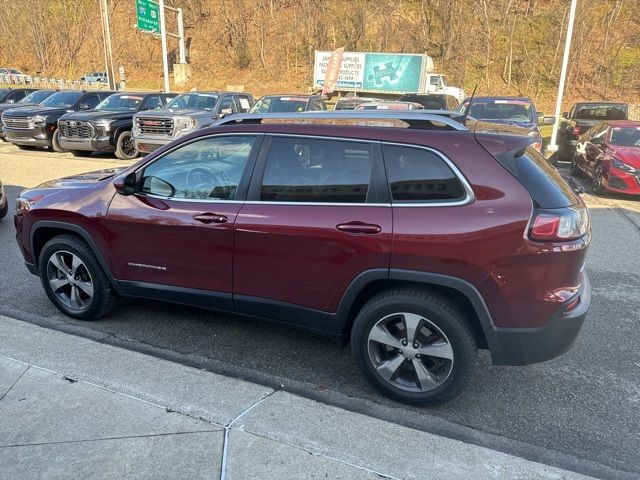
<point>312,170</point>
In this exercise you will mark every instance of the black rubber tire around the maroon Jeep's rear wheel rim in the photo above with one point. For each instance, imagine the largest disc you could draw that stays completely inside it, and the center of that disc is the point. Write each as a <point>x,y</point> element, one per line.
<point>441,314</point>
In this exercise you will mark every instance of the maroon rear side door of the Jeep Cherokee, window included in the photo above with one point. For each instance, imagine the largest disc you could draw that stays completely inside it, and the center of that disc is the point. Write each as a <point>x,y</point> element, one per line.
<point>317,216</point>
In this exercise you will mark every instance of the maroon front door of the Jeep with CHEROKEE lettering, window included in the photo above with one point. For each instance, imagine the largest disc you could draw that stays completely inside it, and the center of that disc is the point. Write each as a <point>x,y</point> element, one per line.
<point>177,229</point>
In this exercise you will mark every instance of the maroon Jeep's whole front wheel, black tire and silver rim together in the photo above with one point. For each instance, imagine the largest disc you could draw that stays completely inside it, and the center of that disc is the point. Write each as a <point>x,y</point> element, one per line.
<point>73,278</point>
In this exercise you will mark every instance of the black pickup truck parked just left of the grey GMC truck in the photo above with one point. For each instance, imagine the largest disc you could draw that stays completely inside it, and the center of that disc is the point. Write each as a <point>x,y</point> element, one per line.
<point>107,128</point>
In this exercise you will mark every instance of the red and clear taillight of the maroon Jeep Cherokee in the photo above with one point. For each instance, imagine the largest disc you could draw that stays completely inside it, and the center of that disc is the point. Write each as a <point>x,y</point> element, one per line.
<point>559,224</point>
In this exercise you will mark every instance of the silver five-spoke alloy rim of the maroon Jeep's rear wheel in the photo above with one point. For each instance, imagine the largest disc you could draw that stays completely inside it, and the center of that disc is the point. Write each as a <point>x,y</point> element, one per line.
<point>410,352</point>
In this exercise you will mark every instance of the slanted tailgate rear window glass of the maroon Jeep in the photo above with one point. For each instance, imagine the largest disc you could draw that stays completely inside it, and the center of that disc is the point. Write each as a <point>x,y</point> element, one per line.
<point>543,182</point>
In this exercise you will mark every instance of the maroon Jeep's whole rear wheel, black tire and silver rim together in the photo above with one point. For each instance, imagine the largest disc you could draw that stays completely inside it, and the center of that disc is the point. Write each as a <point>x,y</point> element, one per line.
<point>414,346</point>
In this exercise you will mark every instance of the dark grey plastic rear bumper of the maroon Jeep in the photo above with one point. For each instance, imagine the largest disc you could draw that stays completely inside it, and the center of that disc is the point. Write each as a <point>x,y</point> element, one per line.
<point>524,346</point>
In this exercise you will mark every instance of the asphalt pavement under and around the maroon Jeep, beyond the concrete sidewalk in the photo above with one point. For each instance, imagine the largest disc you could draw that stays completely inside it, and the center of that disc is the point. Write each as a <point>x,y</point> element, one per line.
<point>579,412</point>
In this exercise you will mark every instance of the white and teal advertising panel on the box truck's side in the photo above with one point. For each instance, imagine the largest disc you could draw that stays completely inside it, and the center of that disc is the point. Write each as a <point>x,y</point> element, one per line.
<point>383,72</point>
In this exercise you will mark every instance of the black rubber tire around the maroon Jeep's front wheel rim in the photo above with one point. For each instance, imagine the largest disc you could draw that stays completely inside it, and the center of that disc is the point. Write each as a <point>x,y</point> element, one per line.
<point>103,297</point>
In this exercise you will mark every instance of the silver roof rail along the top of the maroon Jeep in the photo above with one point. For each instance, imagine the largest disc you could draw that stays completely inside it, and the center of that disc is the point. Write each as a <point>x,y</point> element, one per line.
<point>426,119</point>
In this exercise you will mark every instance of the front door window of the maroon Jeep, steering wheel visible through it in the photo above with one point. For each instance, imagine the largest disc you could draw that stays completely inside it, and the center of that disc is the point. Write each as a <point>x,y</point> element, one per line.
<point>207,169</point>
